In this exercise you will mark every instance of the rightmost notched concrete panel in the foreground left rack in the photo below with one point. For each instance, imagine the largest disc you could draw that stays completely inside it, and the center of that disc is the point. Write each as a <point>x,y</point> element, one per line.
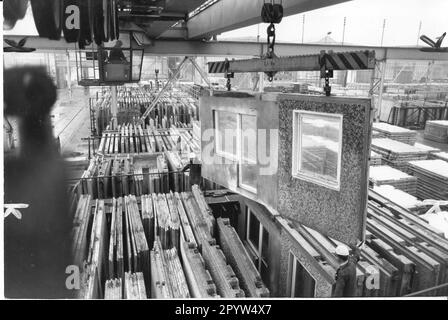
<point>240,261</point>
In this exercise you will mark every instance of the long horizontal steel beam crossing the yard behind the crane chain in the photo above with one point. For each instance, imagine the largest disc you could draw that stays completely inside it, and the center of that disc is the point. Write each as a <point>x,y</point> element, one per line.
<point>244,49</point>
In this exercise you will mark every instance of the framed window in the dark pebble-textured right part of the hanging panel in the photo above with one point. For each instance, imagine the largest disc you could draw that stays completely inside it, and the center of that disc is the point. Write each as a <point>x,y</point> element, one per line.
<point>317,147</point>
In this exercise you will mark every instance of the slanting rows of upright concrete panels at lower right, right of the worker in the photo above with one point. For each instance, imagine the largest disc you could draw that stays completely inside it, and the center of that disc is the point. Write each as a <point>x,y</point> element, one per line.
<point>417,252</point>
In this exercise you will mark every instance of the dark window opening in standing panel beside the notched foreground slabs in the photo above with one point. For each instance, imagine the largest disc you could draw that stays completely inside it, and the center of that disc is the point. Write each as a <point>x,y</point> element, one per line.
<point>258,238</point>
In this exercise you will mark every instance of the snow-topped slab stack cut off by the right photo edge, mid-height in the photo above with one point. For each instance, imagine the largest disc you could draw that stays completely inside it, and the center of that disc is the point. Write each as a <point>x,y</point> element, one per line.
<point>432,178</point>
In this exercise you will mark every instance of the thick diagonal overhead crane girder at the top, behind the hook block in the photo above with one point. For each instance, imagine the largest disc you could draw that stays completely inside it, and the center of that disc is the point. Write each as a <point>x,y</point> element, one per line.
<point>226,15</point>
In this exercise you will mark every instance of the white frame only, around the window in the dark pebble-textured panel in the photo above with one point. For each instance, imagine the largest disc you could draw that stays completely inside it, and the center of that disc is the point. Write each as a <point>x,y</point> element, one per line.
<point>297,148</point>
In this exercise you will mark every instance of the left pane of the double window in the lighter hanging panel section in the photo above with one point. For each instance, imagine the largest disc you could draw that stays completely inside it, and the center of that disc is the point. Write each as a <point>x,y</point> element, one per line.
<point>226,124</point>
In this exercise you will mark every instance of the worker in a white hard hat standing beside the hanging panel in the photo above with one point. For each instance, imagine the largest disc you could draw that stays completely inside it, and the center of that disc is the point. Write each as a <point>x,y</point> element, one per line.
<point>345,285</point>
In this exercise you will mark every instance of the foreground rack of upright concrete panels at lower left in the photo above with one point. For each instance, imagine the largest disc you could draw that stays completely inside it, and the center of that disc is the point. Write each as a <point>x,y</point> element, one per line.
<point>111,239</point>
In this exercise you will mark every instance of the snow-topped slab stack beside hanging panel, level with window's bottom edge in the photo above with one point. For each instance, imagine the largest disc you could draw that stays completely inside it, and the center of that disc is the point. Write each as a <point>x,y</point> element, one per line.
<point>385,175</point>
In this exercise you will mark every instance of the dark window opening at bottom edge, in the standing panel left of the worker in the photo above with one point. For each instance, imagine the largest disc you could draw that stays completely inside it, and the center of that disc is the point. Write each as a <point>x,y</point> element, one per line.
<point>300,282</point>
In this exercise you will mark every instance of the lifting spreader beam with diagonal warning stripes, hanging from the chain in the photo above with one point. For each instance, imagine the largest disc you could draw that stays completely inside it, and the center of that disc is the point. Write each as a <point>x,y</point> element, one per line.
<point>357,60</point>
